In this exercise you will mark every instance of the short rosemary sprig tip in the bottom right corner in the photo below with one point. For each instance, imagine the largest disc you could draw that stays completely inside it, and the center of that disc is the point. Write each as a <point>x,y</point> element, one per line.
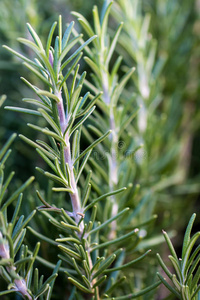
<point>185,281</point>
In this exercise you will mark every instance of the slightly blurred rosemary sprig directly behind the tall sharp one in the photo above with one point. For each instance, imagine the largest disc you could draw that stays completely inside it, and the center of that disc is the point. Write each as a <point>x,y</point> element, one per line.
<point>116,110</point>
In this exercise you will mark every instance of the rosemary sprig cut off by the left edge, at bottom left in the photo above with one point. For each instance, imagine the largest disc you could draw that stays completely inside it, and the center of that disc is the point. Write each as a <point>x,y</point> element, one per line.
<point>16,265</point>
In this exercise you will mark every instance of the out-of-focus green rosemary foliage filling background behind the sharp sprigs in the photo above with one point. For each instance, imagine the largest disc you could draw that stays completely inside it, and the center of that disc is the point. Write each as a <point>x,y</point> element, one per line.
<point>160,39</point>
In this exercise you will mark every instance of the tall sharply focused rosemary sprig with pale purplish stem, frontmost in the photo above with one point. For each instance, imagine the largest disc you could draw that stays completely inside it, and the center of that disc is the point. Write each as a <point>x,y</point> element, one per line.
<point>61,105</point>
